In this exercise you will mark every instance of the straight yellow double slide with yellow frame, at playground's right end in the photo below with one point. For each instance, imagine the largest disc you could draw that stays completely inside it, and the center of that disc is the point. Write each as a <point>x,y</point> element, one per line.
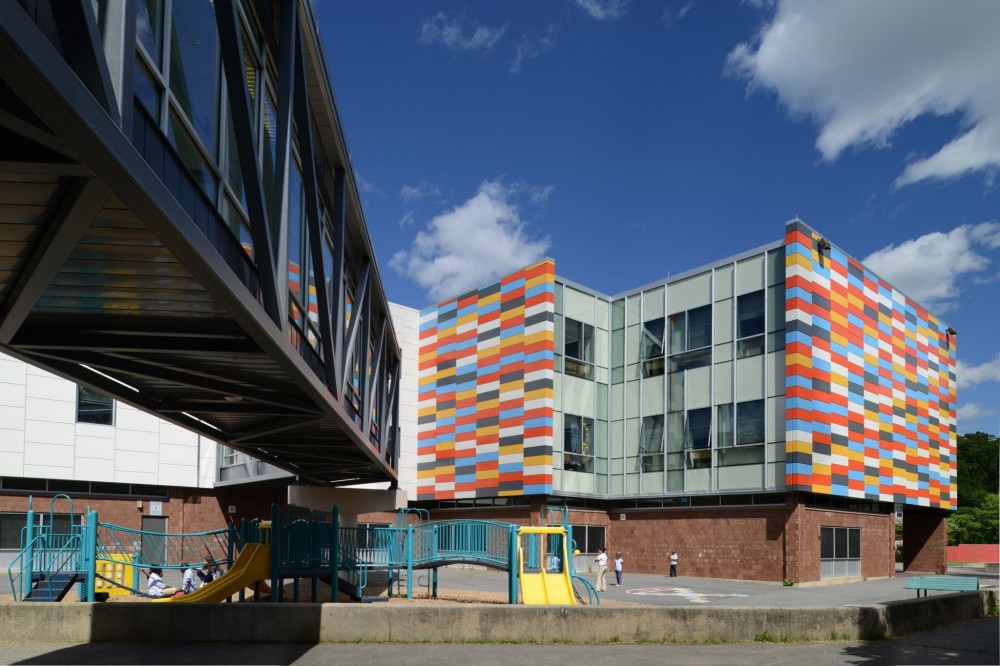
<point>550,584</point>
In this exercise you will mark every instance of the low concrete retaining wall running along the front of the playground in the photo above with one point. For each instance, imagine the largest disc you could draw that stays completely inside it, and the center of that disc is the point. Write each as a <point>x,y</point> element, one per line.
<point>315,623</point>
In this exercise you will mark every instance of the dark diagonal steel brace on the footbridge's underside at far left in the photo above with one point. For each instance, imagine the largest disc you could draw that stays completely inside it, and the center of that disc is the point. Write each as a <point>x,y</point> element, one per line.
<point>79,207</point>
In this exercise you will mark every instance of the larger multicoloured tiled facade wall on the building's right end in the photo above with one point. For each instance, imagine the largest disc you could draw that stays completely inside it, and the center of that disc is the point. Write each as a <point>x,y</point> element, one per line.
<point>869,382</point>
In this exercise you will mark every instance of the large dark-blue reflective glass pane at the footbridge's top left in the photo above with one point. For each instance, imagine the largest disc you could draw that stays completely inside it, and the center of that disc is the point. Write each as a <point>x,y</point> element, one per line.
<point>194,66</point>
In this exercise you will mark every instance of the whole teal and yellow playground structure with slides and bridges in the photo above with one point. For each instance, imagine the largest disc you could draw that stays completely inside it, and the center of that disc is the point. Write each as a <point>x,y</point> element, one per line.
<point>297,545</point>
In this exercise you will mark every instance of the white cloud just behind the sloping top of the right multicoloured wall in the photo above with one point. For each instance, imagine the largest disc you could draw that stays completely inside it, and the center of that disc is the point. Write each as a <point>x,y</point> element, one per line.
<point>929,269</point>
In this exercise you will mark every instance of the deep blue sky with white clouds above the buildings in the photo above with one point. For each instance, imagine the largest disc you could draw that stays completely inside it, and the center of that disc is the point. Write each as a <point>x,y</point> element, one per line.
<point>629,140</point>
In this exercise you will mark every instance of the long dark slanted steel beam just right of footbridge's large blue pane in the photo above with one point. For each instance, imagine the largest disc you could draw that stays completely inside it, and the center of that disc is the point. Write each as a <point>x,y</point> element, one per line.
<point>231,47</point>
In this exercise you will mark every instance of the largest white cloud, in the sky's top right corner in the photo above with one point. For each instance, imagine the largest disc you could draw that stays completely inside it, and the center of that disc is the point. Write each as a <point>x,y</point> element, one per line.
<point>862,70</point>
